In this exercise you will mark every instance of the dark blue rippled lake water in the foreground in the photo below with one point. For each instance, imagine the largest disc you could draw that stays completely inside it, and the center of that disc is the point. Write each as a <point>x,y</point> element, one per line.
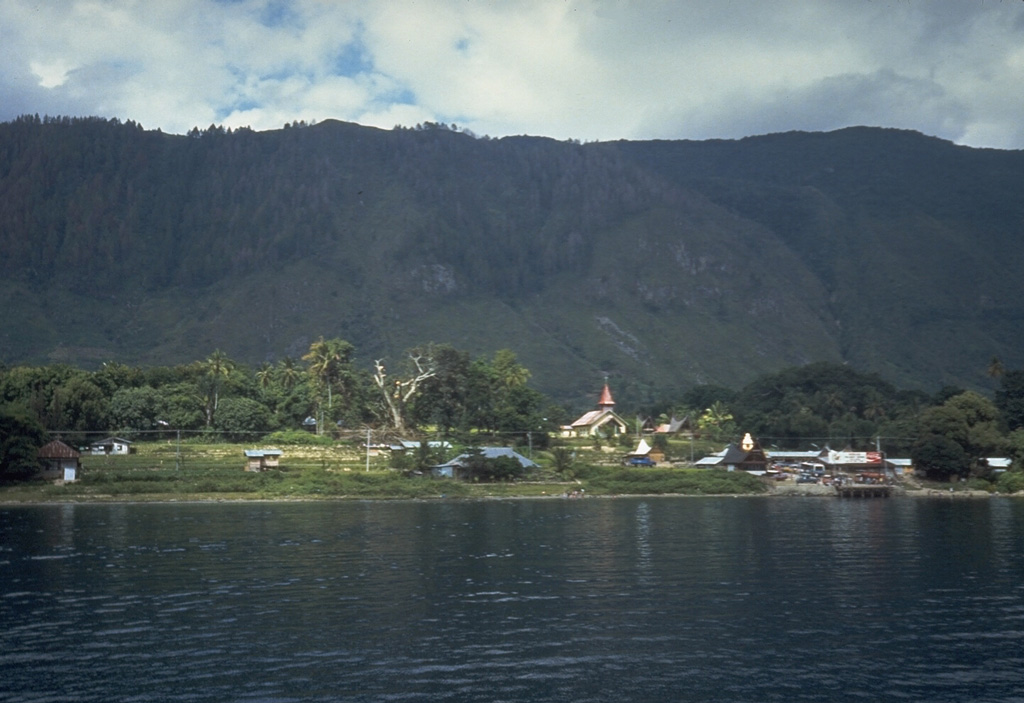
<point>596,600</point>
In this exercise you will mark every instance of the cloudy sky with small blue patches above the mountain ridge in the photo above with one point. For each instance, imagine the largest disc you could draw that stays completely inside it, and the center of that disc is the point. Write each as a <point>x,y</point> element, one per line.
<point>566,69</point>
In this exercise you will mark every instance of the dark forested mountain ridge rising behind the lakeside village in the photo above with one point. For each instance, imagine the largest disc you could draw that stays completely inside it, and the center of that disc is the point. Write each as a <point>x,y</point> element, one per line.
<point>662,265</point>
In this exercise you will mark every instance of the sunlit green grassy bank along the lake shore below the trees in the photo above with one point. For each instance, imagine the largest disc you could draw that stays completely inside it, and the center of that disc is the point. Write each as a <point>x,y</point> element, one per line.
<point>163,471</point>
